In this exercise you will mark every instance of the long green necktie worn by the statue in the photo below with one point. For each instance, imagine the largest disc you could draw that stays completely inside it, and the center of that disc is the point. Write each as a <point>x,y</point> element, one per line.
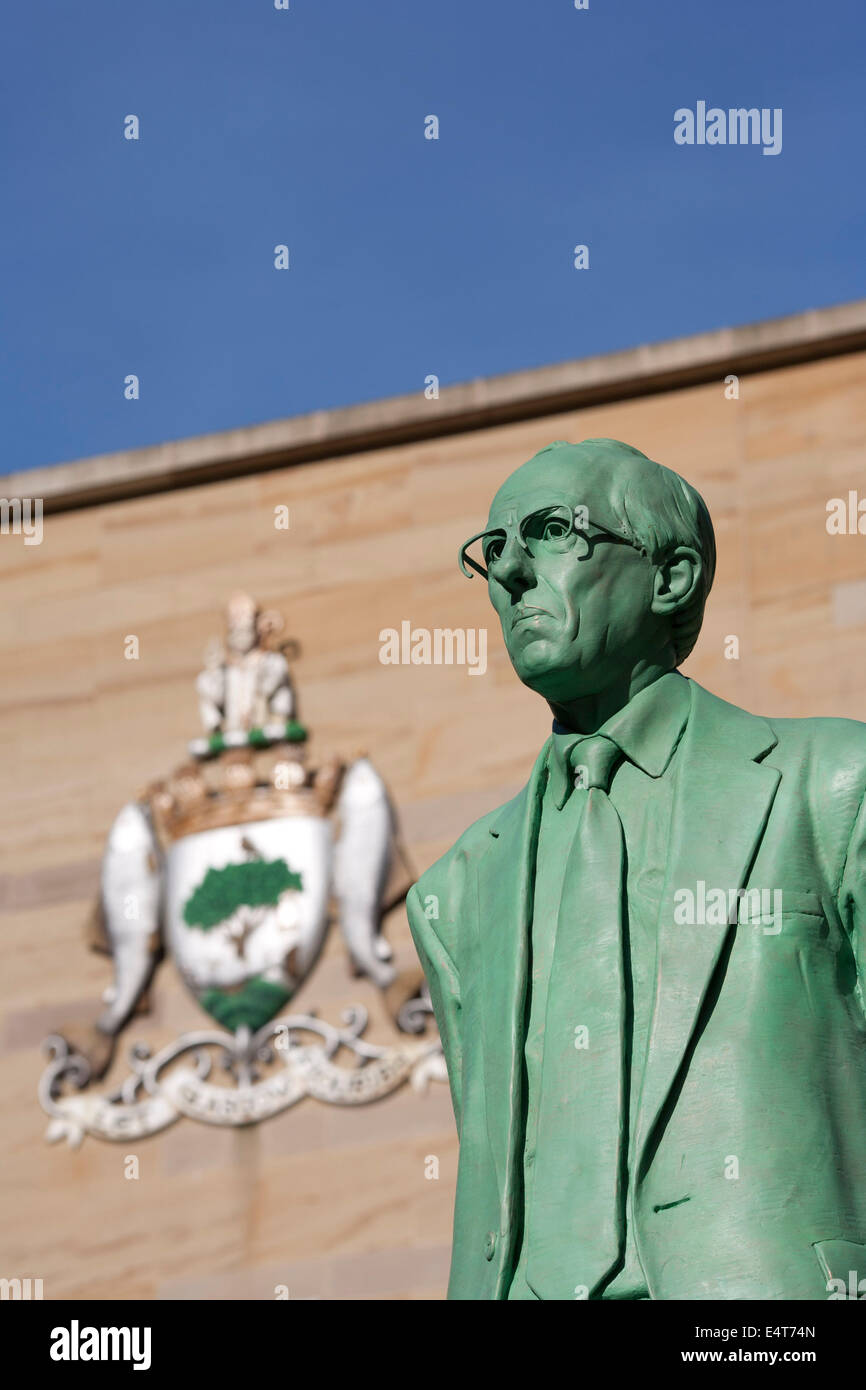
<point>576,1225</point>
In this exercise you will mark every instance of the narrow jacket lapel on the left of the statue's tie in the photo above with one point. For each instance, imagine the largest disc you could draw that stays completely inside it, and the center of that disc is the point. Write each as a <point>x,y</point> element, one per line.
<point>505,888</point>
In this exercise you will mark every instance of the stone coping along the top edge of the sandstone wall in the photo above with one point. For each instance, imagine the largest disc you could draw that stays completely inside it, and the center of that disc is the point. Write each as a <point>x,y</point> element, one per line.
<point>475,405</point>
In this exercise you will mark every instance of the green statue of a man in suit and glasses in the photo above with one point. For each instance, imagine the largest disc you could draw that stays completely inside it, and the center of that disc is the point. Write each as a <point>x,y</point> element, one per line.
<point>648,967</point>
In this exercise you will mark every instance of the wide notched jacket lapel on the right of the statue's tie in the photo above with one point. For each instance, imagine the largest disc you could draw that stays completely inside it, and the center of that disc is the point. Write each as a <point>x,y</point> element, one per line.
<point>722,803</point>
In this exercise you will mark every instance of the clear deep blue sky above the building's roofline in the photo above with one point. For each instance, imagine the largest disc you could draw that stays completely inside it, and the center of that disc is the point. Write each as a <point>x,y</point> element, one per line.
<point>408,256</point>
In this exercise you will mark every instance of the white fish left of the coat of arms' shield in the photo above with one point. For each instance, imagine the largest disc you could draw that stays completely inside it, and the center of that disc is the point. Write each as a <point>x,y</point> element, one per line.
<point>131,901</point>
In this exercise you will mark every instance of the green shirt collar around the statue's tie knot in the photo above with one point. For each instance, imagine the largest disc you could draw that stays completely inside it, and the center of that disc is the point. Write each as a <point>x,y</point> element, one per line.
<point>647,729</point>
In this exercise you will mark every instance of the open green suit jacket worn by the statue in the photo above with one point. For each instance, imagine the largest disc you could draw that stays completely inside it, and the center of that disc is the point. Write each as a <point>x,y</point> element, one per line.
<point>751,1122</point>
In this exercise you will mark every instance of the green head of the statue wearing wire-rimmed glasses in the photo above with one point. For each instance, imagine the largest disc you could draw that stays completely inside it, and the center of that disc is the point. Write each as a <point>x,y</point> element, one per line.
<point>598,564</point>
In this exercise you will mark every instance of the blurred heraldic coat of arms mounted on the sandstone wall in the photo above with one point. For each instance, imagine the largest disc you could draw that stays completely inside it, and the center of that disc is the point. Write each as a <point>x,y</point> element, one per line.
<point>237,867</point>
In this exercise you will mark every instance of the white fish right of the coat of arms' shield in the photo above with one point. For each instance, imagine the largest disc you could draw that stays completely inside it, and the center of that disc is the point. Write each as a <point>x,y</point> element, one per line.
<point>362,864</point>
